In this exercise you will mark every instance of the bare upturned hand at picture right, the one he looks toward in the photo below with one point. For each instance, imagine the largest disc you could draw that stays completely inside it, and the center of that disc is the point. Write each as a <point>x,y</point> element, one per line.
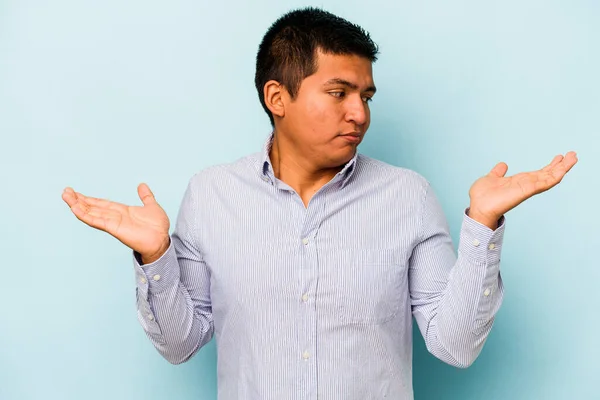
<point>494,195</point>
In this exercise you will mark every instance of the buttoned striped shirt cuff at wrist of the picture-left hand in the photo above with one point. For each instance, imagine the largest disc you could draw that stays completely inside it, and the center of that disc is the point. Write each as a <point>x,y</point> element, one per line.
<point>159,275</point>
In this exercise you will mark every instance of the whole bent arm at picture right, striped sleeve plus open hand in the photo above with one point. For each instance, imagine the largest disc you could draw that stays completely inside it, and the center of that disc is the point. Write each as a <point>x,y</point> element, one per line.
<point>454,300</point>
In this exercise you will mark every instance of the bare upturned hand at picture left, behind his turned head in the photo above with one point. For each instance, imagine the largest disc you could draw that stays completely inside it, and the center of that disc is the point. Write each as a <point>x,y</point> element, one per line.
<point>144,229</point>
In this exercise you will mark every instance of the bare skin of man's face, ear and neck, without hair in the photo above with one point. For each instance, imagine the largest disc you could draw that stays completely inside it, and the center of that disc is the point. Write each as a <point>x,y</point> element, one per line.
<point>318,132</point>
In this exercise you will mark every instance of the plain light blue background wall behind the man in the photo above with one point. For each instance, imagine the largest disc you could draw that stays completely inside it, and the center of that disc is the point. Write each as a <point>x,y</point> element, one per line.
<point>104,95</point>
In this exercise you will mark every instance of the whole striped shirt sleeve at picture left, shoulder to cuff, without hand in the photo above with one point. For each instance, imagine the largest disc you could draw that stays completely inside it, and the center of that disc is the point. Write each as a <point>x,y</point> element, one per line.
<point>173,292</point>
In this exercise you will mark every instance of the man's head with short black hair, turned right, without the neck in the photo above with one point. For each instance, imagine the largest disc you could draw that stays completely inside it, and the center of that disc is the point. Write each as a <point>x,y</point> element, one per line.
<point>314,80</point>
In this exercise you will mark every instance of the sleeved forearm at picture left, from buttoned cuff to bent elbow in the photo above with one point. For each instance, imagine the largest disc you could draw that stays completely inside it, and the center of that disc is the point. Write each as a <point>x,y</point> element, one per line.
<point>166,311</point>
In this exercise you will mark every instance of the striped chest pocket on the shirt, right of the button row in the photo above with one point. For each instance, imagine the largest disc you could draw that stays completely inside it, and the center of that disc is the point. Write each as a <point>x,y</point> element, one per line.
<point>372,287</point>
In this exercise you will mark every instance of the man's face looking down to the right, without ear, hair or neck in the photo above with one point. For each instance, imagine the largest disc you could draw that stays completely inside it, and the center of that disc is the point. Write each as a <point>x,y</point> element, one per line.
<point>330,114</point>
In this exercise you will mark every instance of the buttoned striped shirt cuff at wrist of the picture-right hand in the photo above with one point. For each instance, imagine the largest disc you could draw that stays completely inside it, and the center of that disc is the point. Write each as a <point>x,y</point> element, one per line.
<point>479,243</point>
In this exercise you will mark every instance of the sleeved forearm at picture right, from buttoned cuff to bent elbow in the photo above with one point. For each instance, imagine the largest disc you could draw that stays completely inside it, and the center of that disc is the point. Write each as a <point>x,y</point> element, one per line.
<point>459,320</point>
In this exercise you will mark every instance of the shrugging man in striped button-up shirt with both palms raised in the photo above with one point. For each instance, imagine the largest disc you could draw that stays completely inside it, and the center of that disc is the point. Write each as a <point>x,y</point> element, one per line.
<point>307,261</point>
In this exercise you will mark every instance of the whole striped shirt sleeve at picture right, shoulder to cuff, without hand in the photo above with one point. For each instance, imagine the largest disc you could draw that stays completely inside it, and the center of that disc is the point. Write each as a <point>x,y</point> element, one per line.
<point>455,298</point>
